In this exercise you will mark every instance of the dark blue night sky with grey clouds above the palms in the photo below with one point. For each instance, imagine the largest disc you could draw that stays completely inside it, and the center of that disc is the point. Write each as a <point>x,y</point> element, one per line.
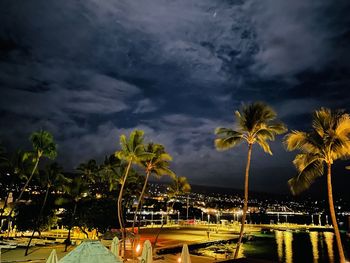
<point>89,71</point>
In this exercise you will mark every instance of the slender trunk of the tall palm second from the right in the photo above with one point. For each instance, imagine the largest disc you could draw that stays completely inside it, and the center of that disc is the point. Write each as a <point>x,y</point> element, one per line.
<point>245,206</point>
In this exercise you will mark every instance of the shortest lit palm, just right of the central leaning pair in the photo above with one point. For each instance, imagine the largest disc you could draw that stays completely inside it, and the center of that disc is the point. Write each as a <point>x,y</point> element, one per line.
<point>178,186</point>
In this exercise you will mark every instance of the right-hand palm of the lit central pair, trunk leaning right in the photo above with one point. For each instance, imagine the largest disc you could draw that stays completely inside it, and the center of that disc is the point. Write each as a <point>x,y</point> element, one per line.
<point>158,165</point>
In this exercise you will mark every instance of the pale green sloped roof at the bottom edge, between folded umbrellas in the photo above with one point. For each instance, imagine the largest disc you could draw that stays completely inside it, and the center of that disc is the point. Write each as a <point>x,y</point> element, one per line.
<point>90,252</point>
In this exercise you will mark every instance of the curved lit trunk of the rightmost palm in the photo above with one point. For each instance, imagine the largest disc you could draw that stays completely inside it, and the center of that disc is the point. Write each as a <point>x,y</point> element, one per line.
<point>333,216</point>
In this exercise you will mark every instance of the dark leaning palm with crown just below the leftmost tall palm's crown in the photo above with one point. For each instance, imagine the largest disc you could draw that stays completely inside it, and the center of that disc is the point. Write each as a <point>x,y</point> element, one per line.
<point>52,177</point>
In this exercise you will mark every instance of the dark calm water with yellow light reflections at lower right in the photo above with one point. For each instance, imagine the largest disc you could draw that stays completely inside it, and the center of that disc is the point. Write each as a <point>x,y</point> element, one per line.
<point>289,247</point>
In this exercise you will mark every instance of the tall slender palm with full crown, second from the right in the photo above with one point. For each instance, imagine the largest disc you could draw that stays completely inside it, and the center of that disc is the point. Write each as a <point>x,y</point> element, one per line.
<point>255,124</point>
